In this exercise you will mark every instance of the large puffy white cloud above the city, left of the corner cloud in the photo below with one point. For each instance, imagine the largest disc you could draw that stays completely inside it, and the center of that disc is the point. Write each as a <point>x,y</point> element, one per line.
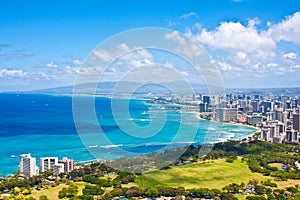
<point>245,44</point>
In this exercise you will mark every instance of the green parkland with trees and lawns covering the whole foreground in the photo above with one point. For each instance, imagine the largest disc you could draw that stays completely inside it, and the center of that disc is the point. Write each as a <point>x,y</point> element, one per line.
<point>232,170</point>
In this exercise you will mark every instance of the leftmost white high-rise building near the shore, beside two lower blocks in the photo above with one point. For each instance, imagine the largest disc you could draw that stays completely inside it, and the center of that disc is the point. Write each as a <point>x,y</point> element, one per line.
<point>28,165</point>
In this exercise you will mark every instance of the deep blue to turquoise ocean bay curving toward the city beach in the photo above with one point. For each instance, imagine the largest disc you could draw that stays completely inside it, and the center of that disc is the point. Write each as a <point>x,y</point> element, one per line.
<point>43,125</point>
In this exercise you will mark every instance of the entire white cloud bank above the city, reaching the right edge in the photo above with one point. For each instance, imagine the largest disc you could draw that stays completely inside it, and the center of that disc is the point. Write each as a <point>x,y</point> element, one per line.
<point>252,50</point>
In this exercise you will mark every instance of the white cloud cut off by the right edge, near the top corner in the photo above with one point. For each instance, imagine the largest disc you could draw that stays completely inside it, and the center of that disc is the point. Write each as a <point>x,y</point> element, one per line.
<point>287,30</point>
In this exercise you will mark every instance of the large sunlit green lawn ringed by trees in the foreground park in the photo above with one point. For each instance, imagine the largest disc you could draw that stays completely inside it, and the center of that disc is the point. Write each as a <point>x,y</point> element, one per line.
<point>209,174</point>
